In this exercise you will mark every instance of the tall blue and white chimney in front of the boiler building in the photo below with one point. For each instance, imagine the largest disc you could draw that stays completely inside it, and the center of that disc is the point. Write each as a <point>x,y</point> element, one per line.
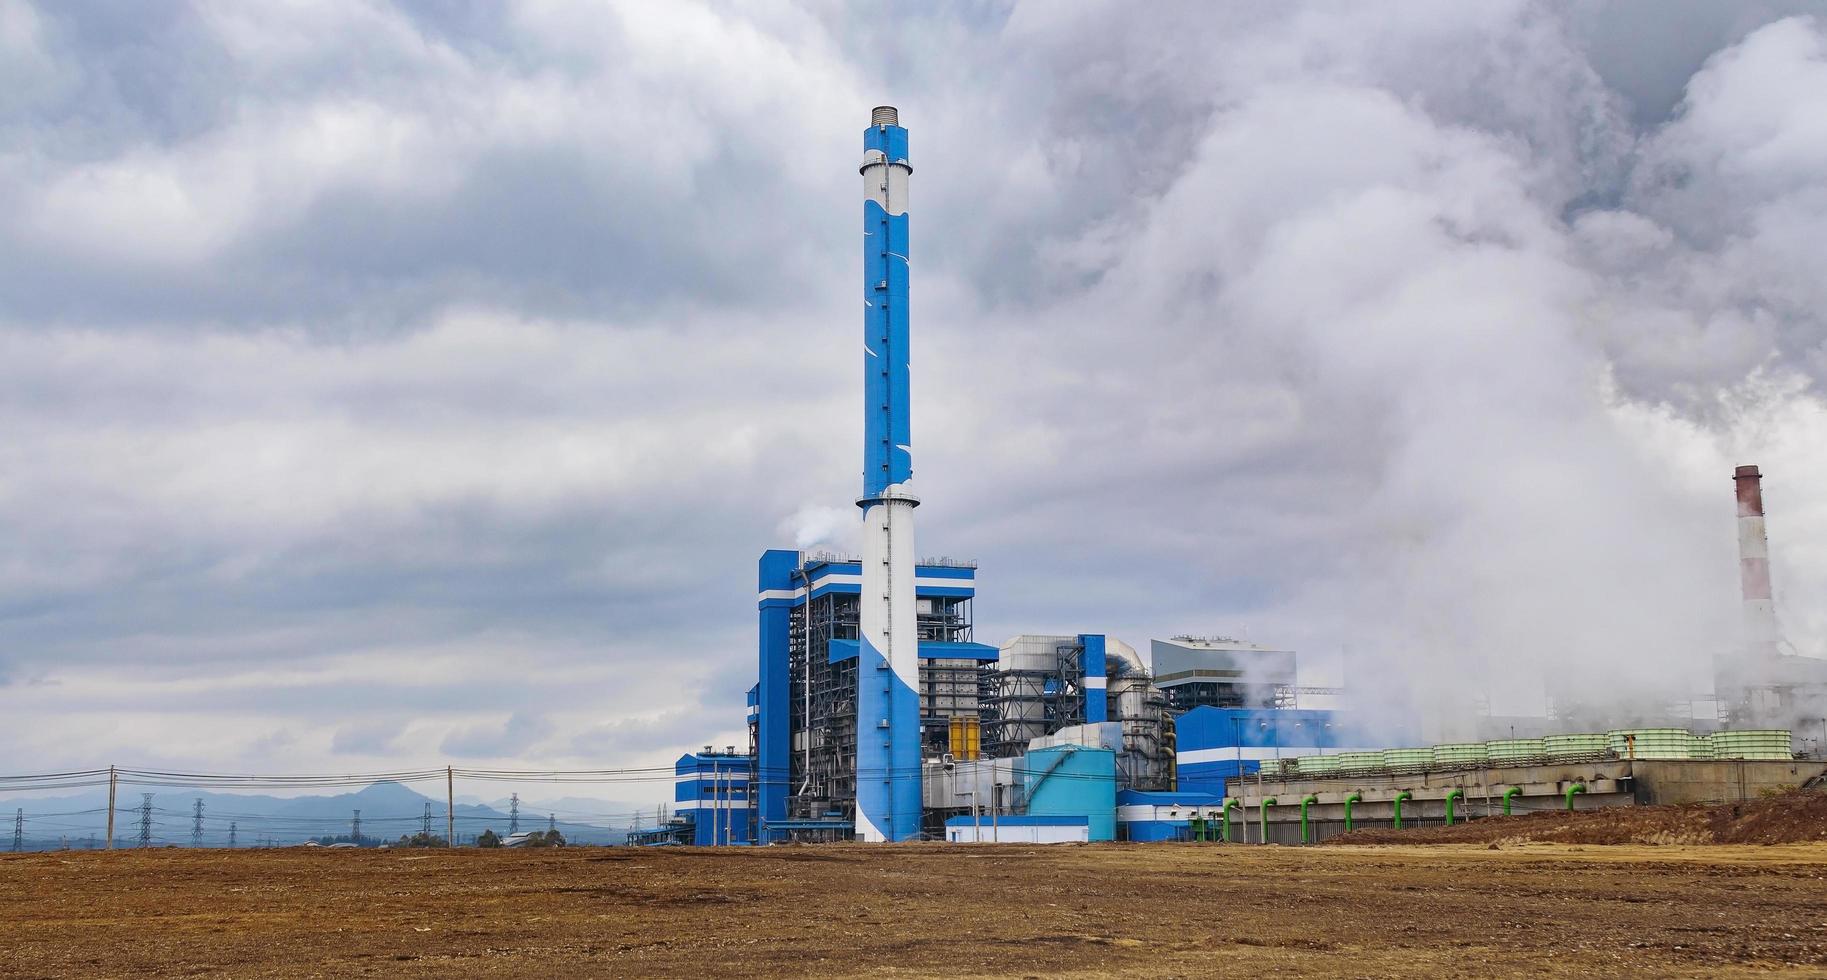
<point>889,745</point>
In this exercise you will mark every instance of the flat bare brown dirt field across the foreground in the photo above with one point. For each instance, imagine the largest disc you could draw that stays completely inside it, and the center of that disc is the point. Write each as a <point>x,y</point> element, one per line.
<point>920,911</point>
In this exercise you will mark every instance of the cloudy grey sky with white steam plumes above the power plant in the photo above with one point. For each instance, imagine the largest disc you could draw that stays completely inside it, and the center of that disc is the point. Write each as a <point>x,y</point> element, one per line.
<point>397,385</point>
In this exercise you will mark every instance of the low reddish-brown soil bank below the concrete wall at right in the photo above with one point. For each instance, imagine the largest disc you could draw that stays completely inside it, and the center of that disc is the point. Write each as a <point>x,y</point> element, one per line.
<point>1790,818</point>
